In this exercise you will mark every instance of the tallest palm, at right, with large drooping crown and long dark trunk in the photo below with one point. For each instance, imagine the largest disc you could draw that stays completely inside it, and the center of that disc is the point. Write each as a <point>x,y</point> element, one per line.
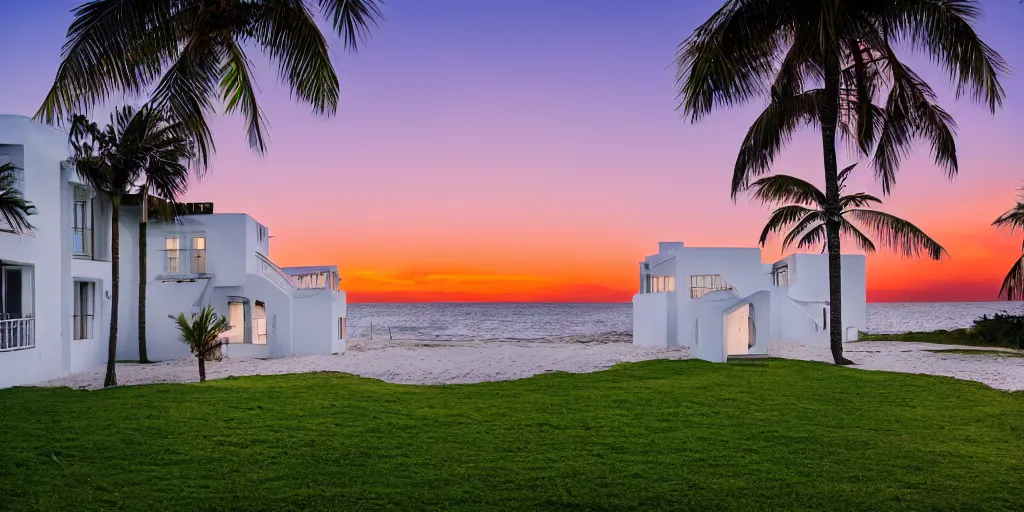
<point>826,64</point>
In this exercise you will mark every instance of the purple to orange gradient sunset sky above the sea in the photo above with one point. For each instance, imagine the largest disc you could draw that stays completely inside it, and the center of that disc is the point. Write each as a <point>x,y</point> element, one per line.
<point>529,150</point>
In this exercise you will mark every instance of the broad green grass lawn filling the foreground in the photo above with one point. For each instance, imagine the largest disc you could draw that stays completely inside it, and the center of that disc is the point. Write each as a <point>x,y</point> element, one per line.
<point>658,436</point>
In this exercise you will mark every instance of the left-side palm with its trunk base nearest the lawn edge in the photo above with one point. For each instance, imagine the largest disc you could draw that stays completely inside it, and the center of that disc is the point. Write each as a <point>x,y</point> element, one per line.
<point>113,161</point>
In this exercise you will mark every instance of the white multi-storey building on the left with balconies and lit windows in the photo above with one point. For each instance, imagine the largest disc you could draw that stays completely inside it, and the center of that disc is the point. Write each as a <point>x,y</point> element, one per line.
<point>56,283</point>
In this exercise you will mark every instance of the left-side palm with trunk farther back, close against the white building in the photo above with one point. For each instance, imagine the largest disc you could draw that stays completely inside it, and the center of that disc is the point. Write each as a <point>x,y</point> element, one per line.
<point>166,176</point>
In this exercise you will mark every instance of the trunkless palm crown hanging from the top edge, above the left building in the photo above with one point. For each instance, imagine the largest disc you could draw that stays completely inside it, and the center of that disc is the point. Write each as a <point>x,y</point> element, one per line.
<point>192,56</point>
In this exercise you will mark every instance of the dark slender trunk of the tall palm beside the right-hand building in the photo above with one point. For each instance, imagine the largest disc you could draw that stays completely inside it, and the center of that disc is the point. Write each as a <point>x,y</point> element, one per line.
<point>829,114</point>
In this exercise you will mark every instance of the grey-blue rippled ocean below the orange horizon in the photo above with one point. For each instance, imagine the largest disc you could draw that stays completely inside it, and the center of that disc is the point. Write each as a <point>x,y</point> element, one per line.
<point>521,322</point>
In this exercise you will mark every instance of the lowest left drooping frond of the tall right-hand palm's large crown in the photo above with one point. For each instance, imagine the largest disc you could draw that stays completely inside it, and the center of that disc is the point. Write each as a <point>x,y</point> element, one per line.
<point>774,130</point>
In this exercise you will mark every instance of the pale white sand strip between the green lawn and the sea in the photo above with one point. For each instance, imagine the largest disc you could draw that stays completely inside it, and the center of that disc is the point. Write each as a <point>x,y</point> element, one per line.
<point>462,363</point>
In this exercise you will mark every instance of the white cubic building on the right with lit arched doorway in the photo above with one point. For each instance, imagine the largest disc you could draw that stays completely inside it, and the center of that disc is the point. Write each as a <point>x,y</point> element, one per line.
<point>721,303</point>
